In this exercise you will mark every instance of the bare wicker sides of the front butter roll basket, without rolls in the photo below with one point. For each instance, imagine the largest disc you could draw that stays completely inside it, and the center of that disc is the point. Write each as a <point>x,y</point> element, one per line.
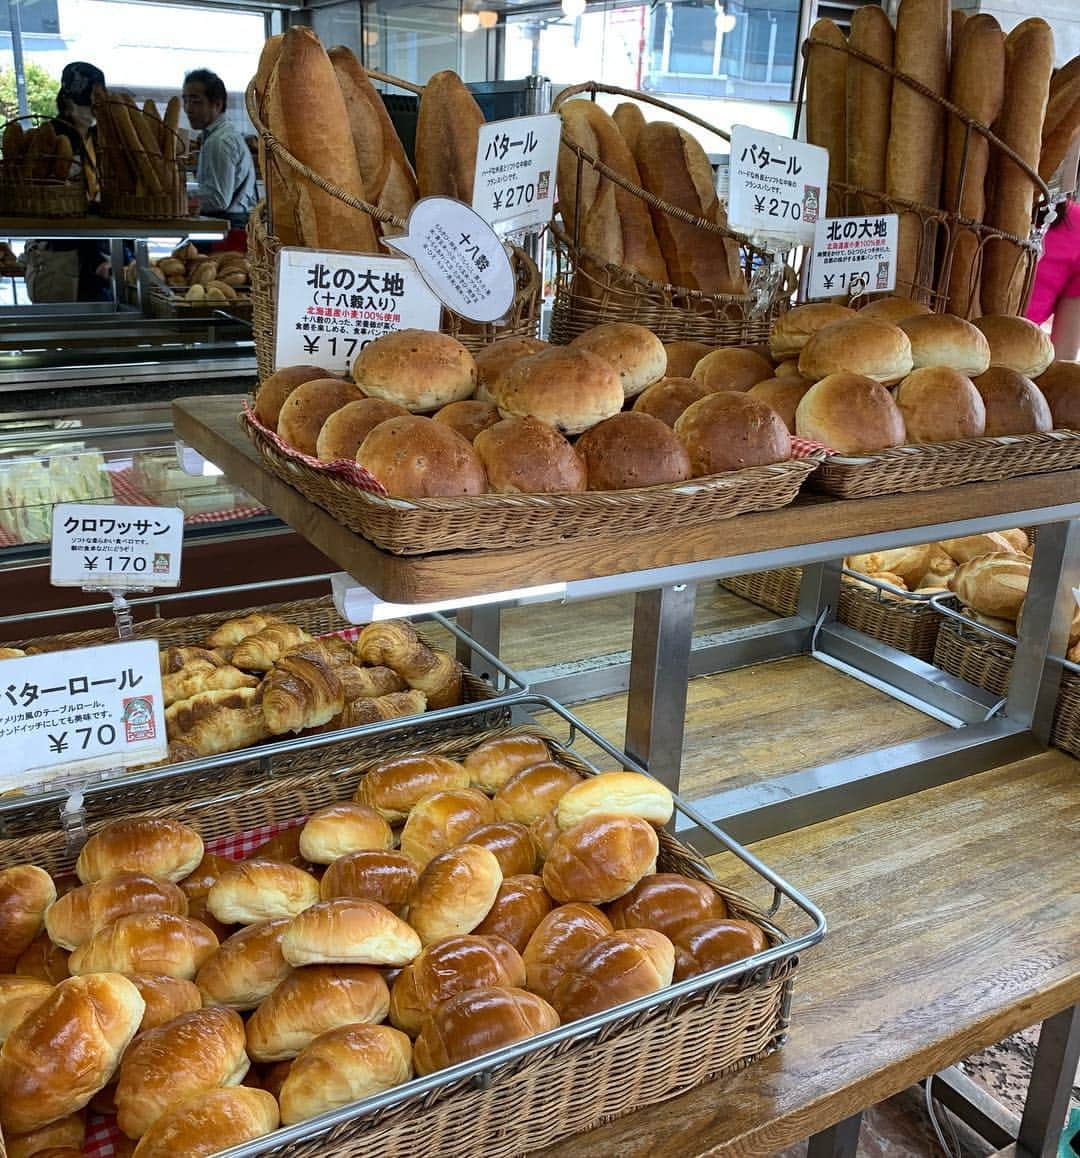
<point>638,1060</point>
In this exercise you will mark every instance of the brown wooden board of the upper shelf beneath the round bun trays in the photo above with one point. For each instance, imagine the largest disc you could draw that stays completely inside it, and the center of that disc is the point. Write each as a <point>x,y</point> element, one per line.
<point>212,427</point>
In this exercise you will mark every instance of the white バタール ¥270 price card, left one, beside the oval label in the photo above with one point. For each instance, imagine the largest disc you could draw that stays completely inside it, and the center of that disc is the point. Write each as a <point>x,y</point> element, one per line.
<point>516,166</point>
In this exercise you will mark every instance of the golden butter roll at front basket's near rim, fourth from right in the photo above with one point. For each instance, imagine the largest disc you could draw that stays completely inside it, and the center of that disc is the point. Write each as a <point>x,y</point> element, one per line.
<point>342,1067</point>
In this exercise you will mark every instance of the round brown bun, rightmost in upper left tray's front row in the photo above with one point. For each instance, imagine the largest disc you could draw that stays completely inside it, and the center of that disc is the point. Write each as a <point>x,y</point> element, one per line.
<point>732,431</point>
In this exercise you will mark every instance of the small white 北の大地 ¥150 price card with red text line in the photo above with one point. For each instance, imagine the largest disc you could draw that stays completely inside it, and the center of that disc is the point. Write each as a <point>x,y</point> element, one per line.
<point>854,255</point>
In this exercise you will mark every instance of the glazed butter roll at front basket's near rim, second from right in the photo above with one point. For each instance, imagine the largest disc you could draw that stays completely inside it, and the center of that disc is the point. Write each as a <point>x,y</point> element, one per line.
<point>623,966</point>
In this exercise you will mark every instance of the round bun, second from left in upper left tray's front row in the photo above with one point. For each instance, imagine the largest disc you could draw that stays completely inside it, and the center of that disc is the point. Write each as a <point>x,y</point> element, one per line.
<point>527,457</point>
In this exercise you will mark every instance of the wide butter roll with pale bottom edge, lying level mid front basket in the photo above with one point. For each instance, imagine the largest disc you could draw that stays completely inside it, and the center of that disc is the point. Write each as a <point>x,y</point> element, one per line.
<point>347,932</point>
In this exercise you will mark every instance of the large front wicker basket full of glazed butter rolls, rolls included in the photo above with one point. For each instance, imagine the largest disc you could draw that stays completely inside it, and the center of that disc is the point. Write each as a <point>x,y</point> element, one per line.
<point>414,914</point>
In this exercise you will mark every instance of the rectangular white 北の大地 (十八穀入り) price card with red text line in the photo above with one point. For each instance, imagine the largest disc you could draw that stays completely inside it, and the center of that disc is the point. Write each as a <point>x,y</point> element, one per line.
<point>330,306</point>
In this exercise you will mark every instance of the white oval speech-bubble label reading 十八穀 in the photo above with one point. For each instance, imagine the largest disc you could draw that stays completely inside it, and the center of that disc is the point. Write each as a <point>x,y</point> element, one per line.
<point>460,258</point>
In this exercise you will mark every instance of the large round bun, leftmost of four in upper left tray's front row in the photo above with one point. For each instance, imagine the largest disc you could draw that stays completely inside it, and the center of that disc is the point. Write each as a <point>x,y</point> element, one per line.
<point>417,458</point>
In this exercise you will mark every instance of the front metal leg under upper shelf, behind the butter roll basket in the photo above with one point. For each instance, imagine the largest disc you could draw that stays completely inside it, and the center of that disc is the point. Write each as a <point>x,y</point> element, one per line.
<point>659,677</point>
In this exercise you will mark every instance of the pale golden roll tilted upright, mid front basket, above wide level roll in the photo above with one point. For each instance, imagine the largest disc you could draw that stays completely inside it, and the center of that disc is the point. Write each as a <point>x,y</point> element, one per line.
<point>455,893</point>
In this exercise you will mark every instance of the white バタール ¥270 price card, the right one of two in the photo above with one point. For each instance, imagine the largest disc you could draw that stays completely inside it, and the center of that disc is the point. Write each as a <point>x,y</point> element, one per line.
<point>777,186</point>
